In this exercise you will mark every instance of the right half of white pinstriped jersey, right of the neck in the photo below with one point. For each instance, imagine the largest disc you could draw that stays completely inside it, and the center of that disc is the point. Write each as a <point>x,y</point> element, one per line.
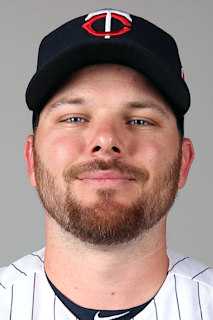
<point>187,292</point>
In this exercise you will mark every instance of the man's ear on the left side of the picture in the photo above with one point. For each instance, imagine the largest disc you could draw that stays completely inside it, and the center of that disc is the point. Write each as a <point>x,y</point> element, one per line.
<point>28,154</point>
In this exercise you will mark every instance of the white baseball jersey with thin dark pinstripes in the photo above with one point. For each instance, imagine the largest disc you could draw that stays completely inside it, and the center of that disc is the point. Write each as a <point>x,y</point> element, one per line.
<point>186,294</point>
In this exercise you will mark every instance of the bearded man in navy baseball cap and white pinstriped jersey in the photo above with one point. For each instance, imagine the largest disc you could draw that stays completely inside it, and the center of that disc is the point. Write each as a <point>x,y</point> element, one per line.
<point>107,158</point>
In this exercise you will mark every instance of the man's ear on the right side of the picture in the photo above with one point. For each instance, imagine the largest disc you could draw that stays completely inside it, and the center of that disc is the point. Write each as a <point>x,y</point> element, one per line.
<point>186,161</point>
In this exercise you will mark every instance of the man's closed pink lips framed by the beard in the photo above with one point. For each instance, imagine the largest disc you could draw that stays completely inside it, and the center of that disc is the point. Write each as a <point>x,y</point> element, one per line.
<point>106,179</point>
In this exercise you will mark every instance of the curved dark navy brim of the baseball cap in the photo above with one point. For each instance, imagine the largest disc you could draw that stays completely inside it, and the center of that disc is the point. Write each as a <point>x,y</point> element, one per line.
<point>46,81</point>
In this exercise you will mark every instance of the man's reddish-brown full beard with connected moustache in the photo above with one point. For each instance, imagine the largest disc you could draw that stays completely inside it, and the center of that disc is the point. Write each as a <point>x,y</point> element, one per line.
<point>107,222</point>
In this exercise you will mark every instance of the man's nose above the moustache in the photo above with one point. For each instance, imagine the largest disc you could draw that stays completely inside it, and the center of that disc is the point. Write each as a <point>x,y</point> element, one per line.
<point>107,139</point>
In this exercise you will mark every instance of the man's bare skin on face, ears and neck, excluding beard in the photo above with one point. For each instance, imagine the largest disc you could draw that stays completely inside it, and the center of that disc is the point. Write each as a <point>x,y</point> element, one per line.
<point>119,276</point>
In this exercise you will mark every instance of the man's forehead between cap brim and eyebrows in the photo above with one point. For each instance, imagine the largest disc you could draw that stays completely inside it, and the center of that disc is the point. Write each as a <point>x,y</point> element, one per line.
<point>108,82</point>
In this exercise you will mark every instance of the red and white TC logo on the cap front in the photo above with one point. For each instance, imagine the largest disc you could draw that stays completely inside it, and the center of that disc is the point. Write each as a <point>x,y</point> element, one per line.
<point>108,14</point>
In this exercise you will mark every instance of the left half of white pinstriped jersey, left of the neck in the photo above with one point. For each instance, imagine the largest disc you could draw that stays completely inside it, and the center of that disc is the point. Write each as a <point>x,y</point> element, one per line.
<point>24,287</point>
